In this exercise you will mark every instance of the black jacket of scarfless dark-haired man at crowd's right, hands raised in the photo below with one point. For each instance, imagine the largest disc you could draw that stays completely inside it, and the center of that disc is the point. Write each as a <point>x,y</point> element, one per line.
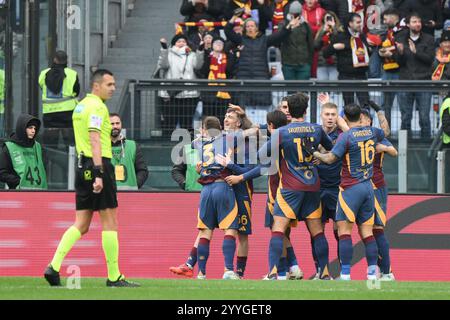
<point>416,66</point>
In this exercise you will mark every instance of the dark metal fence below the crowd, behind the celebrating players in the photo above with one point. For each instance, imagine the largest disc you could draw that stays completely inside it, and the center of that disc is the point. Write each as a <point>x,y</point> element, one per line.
<point>154,108</point>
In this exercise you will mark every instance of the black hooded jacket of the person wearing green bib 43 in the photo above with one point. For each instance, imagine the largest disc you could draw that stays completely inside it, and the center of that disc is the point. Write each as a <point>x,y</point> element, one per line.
<point>7,173</point>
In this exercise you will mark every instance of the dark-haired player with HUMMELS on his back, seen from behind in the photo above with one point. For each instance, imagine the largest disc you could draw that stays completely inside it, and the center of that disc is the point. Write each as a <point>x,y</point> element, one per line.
<point>298,195</point>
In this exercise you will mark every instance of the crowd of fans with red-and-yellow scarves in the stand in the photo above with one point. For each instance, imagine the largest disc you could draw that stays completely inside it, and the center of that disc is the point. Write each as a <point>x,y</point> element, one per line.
<point>321,39</point>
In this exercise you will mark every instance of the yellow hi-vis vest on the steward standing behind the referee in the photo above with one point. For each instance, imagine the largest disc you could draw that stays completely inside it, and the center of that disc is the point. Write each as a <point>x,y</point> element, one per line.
<point>59,101</point>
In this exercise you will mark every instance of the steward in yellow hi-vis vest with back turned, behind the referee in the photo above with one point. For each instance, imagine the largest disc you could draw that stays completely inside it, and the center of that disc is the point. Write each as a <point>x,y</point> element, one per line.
<point>60,89</point>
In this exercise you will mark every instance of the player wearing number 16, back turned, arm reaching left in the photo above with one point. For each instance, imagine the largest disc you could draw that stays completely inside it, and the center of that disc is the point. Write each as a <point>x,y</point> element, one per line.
<point>356,148</point>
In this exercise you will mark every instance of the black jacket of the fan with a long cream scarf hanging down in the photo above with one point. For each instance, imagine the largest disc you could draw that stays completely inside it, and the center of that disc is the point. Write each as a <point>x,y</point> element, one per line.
<point>344,57</point>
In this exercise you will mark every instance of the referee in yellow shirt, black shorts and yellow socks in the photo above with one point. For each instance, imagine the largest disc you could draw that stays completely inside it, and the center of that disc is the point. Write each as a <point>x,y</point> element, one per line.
<point>95,183</point>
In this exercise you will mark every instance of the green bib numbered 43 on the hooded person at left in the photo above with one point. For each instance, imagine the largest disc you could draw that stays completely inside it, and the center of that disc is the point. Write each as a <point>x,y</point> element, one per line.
<point>28,164</point>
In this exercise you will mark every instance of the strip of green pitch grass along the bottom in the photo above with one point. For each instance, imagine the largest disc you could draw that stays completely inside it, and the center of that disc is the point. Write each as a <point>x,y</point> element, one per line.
<point>174,289</point>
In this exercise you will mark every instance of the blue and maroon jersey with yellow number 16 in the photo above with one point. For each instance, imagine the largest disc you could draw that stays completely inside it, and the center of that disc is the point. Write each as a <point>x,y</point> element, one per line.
<point>356,148</point>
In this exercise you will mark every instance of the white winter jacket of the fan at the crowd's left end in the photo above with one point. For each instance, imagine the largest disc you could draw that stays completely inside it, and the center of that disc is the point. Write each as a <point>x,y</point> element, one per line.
<point>178,65</point>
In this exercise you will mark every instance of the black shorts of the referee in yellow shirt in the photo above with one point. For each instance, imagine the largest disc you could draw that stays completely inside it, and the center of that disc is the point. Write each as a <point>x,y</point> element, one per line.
<point>86,199</point>
